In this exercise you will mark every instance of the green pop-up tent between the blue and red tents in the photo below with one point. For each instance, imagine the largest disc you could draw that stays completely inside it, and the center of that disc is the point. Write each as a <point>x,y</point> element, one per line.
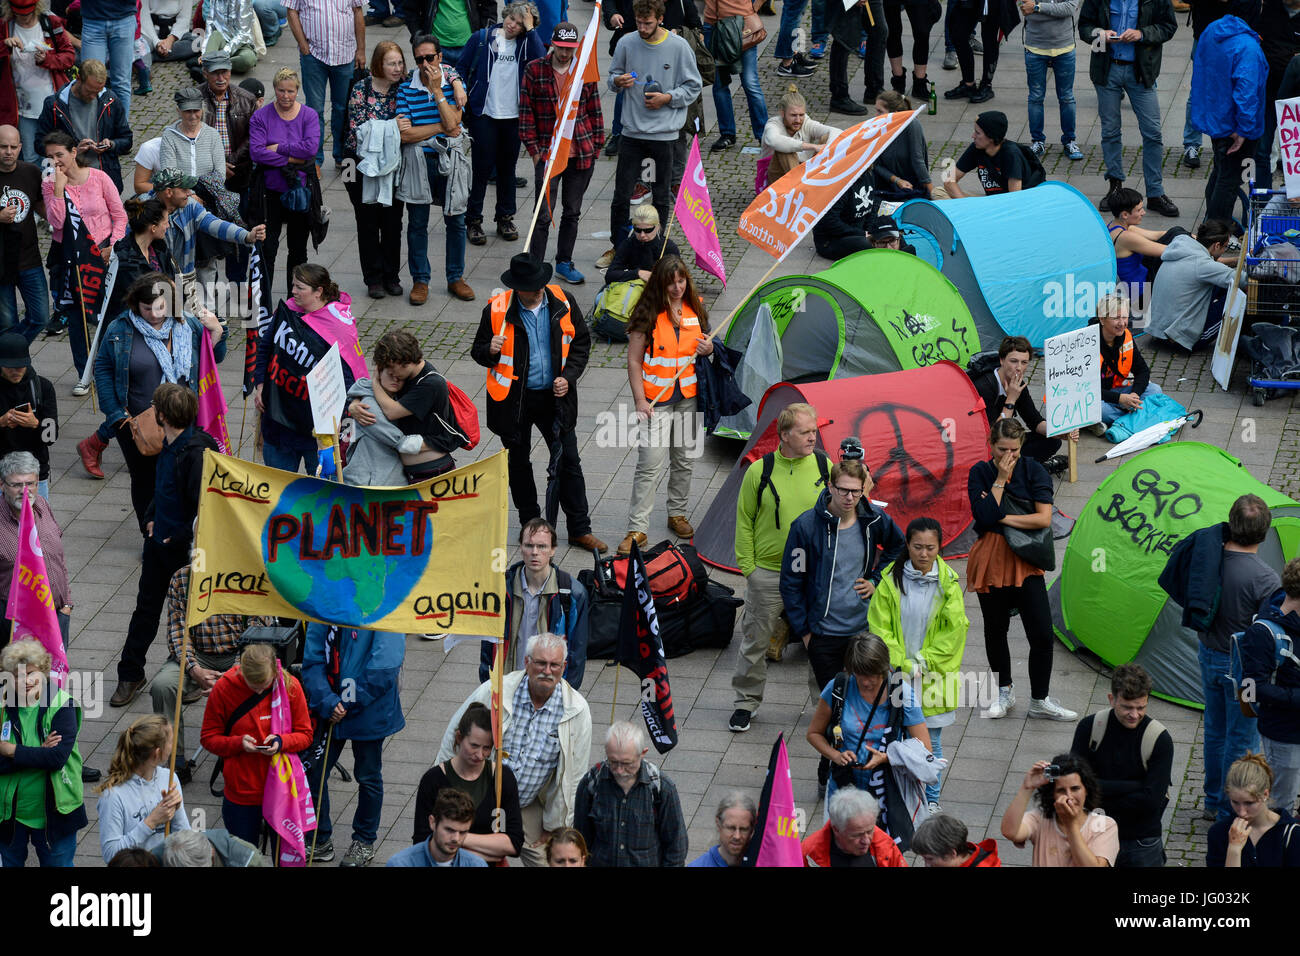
<point>876,312</point>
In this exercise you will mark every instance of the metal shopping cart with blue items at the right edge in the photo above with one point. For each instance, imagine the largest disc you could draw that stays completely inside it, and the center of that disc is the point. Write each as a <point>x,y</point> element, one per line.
<point>1272,280</point>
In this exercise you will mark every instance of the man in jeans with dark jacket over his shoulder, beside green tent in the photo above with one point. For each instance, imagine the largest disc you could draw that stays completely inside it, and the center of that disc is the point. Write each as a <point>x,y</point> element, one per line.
<point>1220,581</point>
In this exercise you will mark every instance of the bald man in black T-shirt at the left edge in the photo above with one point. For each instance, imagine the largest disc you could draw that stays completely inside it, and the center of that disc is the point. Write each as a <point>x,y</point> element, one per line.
<point>20,257</point>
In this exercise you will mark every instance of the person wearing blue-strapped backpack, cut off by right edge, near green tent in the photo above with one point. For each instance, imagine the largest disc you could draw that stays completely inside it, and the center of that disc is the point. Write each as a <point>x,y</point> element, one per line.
<point>1271,684</point>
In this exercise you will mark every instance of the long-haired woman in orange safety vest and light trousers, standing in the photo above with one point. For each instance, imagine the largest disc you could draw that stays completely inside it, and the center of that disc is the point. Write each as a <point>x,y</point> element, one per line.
<point>669,328</point>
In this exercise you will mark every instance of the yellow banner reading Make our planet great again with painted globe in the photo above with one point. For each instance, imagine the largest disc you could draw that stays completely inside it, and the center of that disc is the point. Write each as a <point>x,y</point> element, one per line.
<point>406,560</point>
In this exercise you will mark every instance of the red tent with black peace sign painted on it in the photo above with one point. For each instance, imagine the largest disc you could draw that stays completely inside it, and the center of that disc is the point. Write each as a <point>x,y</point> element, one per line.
<point>921,431</point>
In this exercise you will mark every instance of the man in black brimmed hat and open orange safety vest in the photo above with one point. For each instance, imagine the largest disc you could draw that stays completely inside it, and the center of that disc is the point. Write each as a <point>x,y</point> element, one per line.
<point>535,344</point>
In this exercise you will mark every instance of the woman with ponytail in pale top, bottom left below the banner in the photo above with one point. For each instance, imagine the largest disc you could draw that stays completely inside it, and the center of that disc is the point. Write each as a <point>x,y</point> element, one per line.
<point>140,797</point>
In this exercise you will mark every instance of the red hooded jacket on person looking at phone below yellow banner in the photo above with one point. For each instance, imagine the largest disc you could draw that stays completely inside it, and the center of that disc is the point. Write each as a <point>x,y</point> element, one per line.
<point>246,773</point>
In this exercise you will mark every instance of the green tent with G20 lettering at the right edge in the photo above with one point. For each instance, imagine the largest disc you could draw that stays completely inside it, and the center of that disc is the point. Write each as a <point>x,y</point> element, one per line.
<point>1108,598</point>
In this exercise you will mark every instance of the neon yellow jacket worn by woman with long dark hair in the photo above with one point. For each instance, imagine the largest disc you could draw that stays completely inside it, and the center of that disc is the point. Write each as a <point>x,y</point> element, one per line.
<point>941,659</point>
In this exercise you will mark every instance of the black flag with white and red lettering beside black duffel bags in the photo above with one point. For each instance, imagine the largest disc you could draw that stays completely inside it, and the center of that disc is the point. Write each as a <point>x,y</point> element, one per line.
<point>642,651</point>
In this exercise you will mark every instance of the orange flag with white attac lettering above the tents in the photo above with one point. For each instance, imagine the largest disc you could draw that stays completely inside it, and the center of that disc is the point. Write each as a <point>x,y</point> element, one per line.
<point>786,211</point>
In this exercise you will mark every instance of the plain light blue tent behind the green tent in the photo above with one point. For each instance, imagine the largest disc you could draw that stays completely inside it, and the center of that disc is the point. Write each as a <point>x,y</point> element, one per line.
<point>1032,263</point>
